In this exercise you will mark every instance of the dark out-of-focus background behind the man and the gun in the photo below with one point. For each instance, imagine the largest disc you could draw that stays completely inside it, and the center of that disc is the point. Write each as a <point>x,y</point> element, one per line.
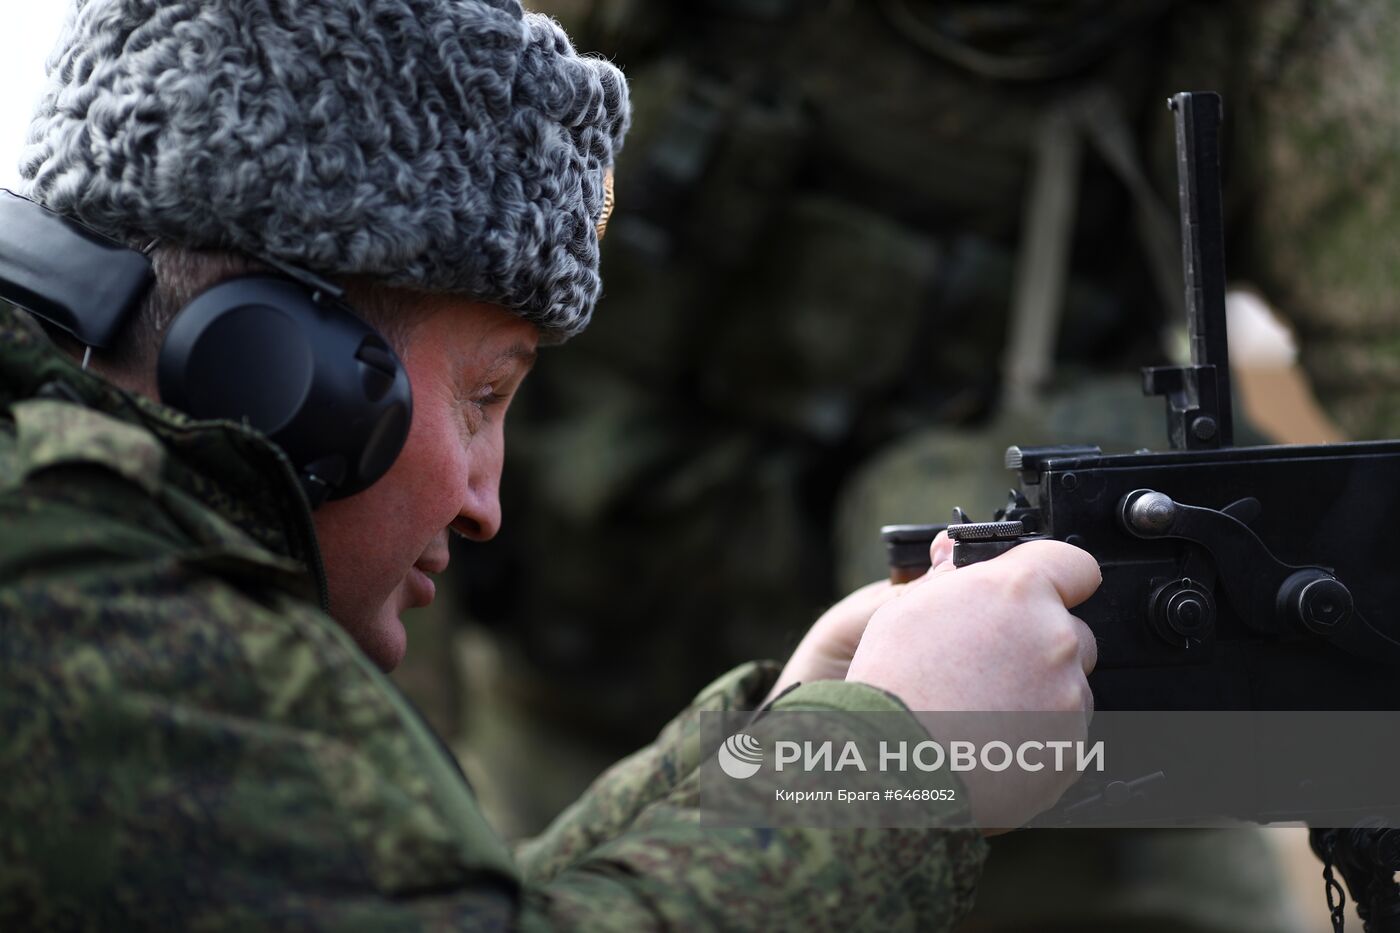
<point>860,249</point>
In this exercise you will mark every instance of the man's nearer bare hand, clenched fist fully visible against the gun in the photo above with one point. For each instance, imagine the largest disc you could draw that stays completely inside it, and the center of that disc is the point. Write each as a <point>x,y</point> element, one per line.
<point>992,637</point>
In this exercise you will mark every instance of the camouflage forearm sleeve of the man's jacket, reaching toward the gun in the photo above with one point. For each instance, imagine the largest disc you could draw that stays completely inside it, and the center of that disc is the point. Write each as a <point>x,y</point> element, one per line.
<point>638,833</point>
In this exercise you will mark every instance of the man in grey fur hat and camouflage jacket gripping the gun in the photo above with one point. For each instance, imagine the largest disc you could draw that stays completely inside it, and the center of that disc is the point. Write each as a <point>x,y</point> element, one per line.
<point>198,728</point>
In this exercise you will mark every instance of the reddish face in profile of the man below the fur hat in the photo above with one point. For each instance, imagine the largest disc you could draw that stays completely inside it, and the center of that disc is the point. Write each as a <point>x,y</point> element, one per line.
<point>465,364</point>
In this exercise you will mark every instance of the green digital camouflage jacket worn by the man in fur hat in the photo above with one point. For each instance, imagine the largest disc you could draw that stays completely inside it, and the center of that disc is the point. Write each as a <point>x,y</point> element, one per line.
<point>188,742</point>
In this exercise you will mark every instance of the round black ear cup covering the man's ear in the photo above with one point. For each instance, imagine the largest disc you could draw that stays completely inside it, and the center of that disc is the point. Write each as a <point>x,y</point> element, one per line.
<point>297,366</point>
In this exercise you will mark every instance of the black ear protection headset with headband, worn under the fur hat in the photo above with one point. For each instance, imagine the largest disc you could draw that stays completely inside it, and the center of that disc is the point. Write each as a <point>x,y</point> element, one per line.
<point>282,354</point>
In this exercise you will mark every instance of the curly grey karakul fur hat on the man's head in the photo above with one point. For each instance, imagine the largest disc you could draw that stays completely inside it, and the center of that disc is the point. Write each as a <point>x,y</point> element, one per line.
<point>454,146</point>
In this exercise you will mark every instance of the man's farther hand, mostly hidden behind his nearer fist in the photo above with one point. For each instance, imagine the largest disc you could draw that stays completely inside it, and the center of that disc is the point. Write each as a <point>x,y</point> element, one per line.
<point>825,652</point>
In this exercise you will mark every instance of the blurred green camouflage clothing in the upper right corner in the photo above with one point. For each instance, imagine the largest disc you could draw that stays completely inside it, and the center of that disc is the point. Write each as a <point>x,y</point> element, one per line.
<point>1326,197</point>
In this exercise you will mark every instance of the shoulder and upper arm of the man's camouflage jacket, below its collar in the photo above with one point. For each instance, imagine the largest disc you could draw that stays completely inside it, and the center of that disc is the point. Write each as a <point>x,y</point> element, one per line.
<point>167,689</point>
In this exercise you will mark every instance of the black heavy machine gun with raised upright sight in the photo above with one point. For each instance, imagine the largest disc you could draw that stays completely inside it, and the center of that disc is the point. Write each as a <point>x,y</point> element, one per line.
<point>1234,578</point>
